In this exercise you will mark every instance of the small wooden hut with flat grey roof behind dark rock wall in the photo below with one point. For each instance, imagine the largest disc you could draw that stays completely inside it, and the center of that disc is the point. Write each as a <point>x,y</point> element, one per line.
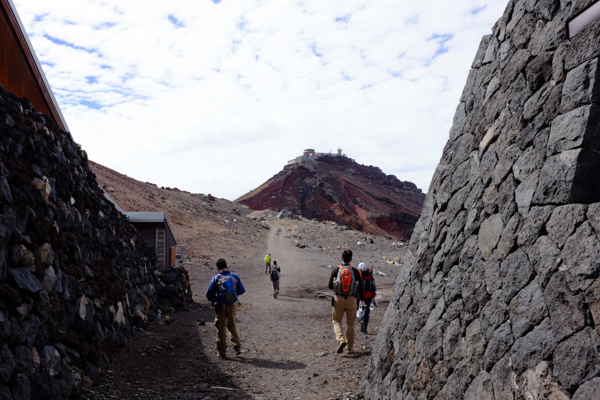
<point>155,230</point>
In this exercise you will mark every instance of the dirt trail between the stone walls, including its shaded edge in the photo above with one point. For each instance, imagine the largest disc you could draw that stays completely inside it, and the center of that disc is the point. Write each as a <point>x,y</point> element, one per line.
<point>288,343</point>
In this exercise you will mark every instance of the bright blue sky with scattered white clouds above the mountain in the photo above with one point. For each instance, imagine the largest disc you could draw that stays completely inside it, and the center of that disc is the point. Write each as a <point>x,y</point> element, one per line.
<point>215,96</point>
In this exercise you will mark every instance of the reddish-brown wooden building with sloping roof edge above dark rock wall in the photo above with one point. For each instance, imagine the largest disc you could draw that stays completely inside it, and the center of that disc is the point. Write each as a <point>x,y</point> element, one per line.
<point>20,70</point>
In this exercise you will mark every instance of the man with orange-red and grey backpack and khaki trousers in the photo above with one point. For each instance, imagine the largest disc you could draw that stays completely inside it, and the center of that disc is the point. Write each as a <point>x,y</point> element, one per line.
<point>345,281</point>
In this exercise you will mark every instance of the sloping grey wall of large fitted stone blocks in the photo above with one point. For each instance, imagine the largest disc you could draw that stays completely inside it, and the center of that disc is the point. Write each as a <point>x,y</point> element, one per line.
<point>499,296</point>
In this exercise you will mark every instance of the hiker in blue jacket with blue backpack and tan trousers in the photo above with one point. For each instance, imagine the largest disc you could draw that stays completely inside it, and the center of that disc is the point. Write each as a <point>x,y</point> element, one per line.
<point>222,292</point>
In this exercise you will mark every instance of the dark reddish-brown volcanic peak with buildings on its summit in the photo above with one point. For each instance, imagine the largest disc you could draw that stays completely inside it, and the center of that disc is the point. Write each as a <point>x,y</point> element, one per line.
<point>338,189</point>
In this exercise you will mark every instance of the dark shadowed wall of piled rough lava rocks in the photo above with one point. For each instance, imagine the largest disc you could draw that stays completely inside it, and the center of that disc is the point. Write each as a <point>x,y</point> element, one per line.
<point>74,275</point>
